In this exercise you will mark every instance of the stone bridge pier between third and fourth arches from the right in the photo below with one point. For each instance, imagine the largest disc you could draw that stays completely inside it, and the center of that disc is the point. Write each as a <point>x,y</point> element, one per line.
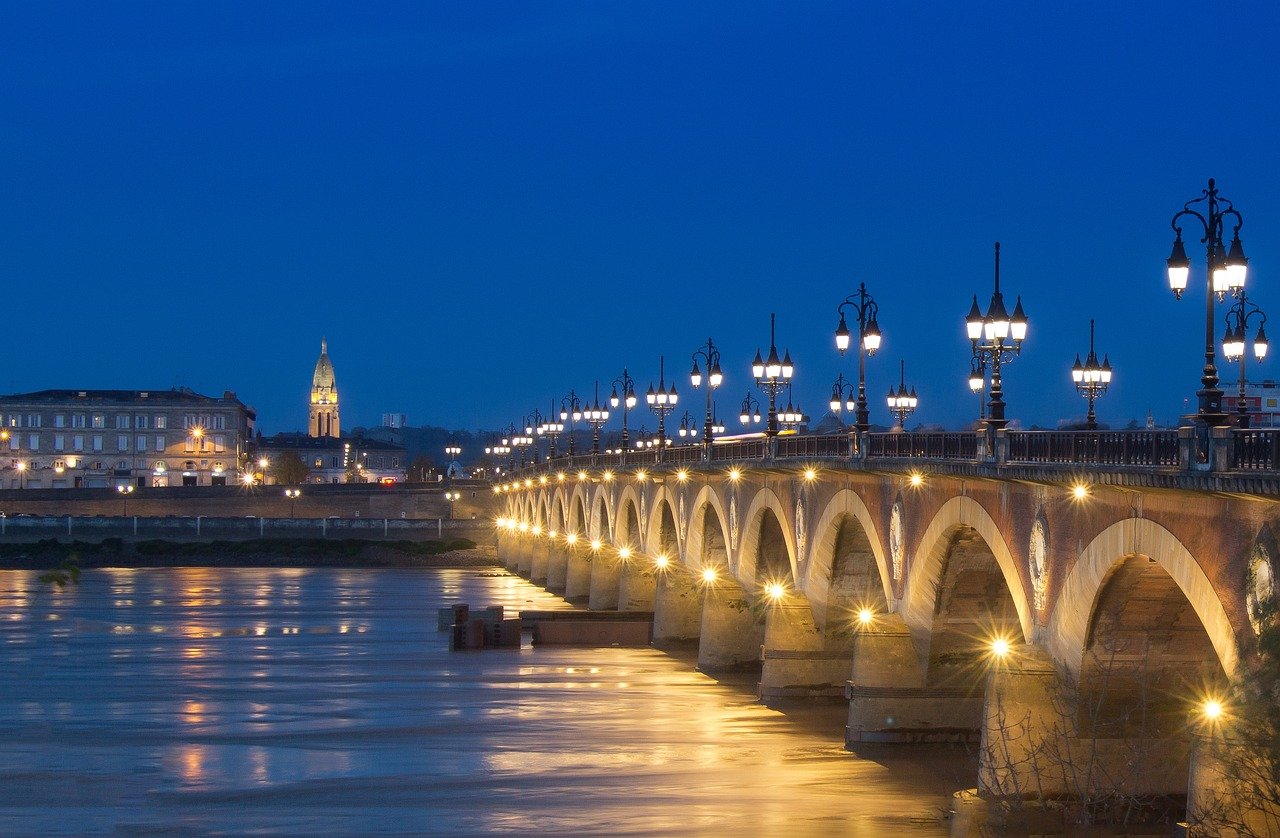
<point>799,660</point>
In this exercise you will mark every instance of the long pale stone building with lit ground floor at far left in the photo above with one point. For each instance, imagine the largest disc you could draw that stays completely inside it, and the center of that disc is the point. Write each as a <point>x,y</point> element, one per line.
<point>68,439</point>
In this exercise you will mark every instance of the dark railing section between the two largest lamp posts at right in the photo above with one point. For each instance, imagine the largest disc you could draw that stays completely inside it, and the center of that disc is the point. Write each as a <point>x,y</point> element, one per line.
<point>1095,448</point>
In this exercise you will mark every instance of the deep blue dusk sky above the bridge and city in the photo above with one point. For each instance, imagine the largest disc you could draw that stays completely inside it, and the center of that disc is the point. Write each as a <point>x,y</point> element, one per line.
<point>483,205</point>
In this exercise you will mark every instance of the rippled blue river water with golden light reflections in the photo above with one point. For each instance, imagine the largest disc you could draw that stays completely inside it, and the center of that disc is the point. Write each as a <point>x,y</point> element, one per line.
<point>295,702</point>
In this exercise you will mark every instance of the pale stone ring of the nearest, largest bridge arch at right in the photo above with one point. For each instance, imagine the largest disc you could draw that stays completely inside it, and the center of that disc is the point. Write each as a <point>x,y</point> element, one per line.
<point>1076,607</point>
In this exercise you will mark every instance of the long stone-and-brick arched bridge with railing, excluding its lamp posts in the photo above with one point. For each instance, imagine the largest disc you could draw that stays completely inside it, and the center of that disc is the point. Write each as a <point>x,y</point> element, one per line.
<point>1122,573</point>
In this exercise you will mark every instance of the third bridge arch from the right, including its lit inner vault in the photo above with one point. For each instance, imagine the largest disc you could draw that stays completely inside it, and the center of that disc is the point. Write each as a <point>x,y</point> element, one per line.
<point>844,537</point>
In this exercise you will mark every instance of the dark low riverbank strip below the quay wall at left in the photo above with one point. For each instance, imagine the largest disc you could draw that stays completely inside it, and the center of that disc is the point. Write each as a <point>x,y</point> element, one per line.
<point>344,553</point>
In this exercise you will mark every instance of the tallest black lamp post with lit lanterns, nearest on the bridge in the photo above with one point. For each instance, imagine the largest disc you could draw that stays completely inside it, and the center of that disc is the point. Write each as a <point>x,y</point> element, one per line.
<point>1227,269</point>
